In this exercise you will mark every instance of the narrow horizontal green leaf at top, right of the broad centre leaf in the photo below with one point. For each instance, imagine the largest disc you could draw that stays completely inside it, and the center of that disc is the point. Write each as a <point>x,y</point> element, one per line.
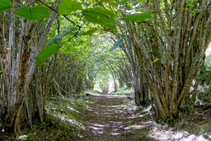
<point>137,17</point>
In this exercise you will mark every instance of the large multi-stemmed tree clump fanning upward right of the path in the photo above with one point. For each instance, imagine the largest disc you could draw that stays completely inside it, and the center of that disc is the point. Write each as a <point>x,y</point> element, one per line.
<point>168,50</point>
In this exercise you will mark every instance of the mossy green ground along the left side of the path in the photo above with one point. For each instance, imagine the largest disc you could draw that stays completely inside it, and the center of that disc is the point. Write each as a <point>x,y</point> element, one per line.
<point>63,121</point>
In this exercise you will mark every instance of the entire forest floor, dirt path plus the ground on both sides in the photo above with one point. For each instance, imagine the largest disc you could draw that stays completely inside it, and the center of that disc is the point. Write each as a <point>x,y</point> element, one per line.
<point>113,117</point>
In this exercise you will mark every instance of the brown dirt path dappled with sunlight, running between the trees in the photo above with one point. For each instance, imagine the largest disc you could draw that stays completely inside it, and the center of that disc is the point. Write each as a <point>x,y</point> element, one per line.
<point>114,118</point>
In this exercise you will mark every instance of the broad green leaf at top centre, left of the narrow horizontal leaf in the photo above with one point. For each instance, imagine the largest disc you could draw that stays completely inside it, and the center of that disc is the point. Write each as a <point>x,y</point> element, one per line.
<point>100,16</point>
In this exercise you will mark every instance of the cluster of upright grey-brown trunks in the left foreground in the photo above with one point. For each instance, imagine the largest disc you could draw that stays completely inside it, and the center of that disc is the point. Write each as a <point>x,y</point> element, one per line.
<point>20,66</point>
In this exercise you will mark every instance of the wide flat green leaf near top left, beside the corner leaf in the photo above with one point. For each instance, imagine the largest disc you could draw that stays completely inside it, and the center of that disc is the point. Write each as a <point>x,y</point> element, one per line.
<point>34,13</point>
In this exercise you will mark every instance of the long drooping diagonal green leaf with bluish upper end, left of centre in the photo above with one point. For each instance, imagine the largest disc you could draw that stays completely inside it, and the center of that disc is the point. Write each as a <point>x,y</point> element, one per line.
<point>50,48</point>
